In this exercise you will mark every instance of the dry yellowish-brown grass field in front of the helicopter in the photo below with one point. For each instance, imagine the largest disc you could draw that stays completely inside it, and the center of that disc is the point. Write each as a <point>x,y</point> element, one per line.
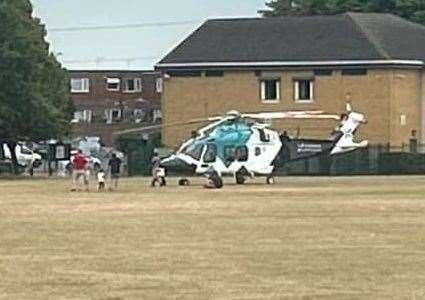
<point>303,238</point>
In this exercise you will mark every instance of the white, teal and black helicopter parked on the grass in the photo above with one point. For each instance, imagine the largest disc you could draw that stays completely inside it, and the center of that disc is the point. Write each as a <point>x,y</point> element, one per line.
<point>244,145</point>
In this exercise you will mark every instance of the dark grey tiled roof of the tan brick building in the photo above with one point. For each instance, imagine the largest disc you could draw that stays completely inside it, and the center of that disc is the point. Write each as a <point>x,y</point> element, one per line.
<point>345,37</point>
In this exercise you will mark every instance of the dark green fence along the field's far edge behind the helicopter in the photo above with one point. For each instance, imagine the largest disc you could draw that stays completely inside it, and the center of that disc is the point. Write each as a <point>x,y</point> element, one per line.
<point>373,160</point>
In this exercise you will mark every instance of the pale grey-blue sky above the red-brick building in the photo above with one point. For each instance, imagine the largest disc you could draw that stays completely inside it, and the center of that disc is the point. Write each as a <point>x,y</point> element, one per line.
<point>136,48</point>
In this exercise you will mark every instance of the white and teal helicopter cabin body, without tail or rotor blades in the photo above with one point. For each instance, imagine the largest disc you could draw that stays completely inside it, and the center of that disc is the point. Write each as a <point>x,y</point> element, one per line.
<point>228,149</point>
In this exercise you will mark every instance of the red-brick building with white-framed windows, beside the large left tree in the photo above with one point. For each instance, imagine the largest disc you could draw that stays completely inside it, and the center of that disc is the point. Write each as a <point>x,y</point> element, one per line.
<point>110,101</point>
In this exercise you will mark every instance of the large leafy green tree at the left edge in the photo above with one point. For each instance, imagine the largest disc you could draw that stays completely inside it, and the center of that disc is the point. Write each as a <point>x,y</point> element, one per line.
<point>35,103</point>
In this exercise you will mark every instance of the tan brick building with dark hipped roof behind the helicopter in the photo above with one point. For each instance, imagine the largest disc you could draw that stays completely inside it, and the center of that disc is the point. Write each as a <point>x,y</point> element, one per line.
<point>375,61</point>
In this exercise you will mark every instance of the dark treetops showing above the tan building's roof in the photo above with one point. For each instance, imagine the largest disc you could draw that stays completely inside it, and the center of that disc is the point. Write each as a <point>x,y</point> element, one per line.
<point>413,10</point>
